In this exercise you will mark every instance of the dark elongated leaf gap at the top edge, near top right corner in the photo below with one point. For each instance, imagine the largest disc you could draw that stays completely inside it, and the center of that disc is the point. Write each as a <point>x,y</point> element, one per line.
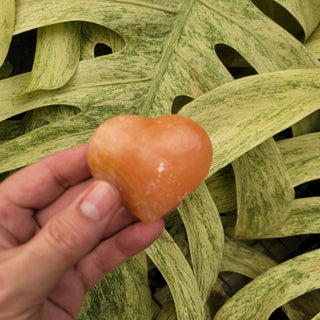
<point>281,16</point>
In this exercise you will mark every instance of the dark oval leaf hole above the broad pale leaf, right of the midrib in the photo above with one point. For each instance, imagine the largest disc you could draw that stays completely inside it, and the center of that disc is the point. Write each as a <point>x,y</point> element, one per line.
<point>234,62</point>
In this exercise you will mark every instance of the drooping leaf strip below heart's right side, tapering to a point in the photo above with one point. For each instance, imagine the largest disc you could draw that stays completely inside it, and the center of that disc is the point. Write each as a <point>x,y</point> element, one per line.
<point>205,235</point>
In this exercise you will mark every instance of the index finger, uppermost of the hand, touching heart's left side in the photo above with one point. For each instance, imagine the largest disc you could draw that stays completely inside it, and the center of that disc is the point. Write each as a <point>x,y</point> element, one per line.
<point>44,181</point>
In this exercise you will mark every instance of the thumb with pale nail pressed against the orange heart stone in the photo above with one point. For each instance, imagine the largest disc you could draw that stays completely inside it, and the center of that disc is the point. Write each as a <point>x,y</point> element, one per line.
<point>70,235</point>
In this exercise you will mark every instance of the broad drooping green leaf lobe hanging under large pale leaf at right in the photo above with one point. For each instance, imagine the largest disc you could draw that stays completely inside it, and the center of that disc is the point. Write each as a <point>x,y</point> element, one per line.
<point>264,190</point>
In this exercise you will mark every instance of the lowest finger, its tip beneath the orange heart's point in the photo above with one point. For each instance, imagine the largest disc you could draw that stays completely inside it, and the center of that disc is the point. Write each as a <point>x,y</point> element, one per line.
<point>114,251</point>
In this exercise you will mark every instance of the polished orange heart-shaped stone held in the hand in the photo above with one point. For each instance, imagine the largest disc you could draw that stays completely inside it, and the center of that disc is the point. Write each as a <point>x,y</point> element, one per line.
<point>154,163</point>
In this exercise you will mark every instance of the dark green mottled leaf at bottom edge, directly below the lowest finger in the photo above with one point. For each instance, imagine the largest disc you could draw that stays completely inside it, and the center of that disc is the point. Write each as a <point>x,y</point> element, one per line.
<point>131,281</point>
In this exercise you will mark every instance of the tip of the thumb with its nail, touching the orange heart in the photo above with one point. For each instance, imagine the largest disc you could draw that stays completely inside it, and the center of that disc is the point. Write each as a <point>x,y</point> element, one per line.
<point>100,201</point>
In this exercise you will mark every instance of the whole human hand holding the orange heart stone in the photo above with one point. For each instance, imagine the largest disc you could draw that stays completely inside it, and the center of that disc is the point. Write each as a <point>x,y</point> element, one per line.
<point>60,233</point>
